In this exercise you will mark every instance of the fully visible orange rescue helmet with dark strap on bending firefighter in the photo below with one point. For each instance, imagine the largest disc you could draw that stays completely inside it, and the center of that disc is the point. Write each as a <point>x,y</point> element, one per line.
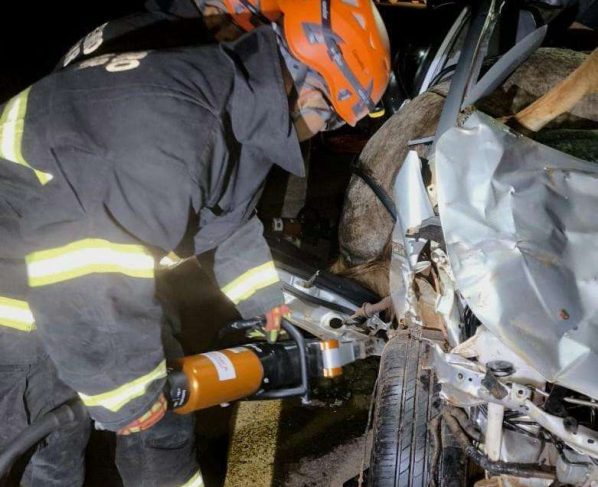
<point>346,42</point>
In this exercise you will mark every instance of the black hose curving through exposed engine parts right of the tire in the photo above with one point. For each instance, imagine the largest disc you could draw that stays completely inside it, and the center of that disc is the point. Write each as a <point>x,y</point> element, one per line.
<point>526,470</point>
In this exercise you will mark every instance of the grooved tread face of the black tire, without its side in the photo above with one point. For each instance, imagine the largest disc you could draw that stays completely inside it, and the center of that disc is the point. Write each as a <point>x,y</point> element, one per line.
<point>402,448</point>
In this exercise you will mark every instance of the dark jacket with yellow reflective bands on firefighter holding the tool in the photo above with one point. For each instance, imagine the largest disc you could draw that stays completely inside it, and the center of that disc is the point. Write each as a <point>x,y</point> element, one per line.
<point>128,152</point>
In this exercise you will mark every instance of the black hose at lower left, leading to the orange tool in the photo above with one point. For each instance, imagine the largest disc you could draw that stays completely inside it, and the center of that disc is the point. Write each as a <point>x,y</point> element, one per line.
<point>63,415</point>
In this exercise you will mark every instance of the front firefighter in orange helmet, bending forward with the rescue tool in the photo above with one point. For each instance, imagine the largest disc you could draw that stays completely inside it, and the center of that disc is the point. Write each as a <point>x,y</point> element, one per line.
<point>129,153</point>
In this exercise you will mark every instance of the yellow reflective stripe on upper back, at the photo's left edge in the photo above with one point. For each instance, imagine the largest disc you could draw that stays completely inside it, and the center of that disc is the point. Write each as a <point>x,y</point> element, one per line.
<point>12,124</point>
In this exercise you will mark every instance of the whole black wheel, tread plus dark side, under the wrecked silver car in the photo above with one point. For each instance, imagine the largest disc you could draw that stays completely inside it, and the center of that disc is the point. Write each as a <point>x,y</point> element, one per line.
<point>404,452</point>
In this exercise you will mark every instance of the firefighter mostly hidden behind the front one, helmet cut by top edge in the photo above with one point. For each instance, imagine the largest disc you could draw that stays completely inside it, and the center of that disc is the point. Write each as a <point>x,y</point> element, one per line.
<point>27,375</point>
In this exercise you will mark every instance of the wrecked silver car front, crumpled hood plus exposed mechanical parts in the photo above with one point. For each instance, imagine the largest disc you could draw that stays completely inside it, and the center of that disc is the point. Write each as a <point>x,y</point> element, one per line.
<point>513,284</point>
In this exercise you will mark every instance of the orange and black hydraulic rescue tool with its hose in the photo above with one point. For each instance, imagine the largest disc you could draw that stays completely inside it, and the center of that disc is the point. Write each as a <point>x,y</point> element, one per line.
<point>257,370</point>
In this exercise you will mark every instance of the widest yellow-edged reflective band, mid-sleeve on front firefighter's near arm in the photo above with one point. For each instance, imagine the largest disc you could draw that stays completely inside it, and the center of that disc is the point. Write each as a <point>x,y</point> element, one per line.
<point>88,256</point>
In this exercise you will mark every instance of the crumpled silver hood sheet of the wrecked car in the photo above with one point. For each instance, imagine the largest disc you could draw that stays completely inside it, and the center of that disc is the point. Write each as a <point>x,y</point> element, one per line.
<point>521,226</point>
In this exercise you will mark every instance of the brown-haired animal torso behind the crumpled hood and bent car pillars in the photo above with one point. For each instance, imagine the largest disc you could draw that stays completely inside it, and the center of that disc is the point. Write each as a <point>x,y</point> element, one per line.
<point>365,225</point>
